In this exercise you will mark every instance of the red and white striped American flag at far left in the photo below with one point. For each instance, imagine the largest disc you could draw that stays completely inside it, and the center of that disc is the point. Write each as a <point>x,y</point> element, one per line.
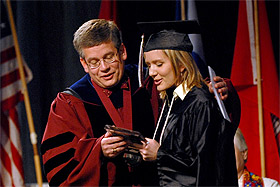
<point>11,168</point>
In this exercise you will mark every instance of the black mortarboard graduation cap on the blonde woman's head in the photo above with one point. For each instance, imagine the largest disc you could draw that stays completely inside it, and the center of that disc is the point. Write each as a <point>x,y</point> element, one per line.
<point>169,34</point>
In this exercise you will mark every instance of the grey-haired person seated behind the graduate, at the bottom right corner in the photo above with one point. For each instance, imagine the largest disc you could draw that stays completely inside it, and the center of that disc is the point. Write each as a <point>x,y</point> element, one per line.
<point>246,178</point>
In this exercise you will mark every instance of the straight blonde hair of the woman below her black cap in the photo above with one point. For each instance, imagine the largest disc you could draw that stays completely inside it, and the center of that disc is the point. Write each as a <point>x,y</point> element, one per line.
<point>191,76</point>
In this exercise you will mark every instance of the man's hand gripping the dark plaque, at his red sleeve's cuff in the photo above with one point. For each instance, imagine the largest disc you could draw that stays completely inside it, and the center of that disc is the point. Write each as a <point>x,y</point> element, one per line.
<point>112,145</point>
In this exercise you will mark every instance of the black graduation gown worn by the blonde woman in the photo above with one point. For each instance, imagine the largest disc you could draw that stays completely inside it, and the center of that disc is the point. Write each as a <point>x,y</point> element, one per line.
<point>197,144</point>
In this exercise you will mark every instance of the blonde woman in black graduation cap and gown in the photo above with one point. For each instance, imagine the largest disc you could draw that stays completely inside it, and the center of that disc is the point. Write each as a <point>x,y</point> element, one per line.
<point>192,143</point>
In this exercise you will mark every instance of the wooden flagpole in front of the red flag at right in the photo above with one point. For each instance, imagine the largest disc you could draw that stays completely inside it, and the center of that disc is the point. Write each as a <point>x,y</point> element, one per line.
<point>259,88</point>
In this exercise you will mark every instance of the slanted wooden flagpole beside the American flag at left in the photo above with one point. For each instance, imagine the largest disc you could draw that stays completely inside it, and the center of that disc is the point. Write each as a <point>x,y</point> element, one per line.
<point>33,136</point>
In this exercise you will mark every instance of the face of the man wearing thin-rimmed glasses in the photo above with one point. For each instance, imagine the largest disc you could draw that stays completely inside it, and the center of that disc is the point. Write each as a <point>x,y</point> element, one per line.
<point>107,75</point>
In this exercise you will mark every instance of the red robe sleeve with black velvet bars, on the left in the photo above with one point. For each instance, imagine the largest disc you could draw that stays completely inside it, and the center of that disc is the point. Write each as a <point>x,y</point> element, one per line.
<point>61,146</point>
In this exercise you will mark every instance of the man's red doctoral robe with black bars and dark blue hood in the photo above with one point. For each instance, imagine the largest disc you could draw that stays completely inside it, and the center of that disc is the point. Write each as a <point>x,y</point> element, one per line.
<point>71,147</point>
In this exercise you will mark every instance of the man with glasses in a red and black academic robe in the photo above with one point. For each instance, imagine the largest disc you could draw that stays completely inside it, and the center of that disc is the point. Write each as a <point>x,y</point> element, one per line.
<point>72,147</point>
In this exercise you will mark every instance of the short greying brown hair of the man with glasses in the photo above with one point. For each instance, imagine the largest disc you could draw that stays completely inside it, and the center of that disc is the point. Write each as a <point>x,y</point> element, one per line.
<point>96,32</point>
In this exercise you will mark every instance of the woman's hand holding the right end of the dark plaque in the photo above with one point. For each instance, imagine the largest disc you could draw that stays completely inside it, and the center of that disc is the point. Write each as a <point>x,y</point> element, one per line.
<point>149,151</point>
